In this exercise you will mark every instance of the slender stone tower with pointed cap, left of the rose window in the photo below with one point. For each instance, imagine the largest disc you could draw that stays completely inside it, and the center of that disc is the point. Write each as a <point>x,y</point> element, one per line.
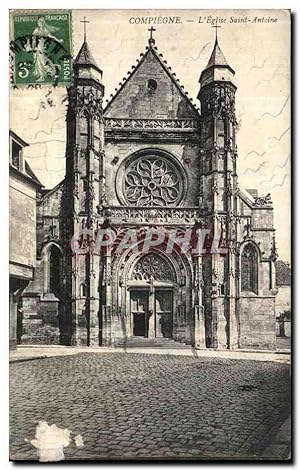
<point>83,195</point>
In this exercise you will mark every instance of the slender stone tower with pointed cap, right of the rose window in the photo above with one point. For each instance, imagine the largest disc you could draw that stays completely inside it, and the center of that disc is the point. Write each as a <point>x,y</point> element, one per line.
<point>218,197</point>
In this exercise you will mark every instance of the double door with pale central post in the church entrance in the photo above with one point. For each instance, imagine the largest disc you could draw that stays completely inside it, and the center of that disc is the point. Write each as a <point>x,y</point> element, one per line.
<point>152,313</point>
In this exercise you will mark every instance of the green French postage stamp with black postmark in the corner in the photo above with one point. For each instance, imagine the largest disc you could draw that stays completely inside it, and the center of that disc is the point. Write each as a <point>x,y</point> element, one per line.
<point>41,45</point>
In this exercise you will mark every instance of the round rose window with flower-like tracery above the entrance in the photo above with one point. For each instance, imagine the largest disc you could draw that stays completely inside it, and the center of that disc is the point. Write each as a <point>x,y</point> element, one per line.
<point>152,181</point>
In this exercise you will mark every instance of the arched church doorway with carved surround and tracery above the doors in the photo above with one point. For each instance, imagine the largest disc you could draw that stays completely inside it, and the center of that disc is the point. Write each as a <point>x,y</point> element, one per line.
<point>151,295</point>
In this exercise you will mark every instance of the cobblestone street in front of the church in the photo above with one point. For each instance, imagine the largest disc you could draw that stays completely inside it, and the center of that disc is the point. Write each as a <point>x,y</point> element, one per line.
<point>139,406</point>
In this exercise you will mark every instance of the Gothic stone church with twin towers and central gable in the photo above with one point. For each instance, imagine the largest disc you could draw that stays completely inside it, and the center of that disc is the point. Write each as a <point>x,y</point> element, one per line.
<point>151,159</point>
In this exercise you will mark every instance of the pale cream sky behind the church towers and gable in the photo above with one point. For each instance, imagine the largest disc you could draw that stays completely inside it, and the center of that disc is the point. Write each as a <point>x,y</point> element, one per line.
<point>257,49</point>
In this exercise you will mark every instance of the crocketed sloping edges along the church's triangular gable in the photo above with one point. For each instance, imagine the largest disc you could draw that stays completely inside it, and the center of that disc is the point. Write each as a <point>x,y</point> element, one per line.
<point>168,70</point>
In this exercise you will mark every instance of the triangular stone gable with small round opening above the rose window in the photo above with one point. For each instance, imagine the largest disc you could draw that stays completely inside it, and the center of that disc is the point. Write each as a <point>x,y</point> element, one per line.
<point>150,92</point>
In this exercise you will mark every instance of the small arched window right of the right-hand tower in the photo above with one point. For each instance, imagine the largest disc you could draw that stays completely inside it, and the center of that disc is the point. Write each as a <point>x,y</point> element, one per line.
<point>249,269</point>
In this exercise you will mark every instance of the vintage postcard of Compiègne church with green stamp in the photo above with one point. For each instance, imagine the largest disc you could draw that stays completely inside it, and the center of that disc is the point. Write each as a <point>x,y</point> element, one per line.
<point>150,278</point>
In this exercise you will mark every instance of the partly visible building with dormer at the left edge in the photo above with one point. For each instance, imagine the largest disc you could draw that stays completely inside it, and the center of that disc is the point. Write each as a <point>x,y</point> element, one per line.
<point>23,189</point>
